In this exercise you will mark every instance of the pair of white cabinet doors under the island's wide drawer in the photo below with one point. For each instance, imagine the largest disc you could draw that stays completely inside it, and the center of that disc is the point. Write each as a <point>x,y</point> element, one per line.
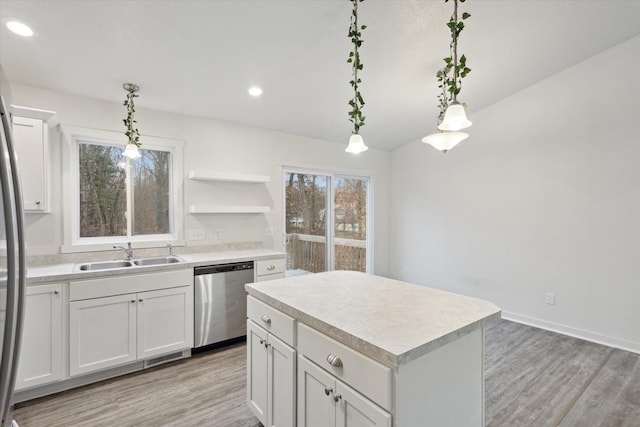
<point>324,401</point>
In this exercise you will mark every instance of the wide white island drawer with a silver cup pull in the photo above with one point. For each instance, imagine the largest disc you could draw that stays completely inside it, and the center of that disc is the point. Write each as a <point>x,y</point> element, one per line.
<point>362,373</point>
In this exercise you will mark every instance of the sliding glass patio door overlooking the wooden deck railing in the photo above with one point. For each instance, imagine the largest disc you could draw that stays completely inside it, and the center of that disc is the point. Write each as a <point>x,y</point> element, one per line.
<point>327,219</point>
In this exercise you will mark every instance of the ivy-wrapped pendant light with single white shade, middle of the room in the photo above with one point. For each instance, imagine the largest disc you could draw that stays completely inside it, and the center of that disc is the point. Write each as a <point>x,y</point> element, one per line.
<point>356,143</point>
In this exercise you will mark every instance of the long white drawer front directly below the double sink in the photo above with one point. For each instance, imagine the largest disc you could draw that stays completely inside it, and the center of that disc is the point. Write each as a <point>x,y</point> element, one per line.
<point>129,284</point>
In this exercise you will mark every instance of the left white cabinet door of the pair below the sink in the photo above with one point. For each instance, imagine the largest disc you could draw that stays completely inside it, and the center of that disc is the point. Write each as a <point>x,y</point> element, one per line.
<point>102,333</point>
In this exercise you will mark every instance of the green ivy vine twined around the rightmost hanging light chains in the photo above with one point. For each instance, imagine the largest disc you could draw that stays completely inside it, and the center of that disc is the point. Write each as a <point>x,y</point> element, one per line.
<point>450,77</point>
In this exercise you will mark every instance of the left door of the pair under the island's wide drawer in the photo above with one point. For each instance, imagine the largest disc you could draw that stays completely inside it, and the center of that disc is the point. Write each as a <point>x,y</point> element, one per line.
<point>316,407</point>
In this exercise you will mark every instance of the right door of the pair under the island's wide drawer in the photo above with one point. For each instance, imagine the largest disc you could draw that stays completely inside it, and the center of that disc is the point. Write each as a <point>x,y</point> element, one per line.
<point>354,410</point>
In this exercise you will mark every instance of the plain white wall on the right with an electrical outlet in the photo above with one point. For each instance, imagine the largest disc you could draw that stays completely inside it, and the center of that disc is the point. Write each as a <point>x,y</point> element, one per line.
<point>544,197</point>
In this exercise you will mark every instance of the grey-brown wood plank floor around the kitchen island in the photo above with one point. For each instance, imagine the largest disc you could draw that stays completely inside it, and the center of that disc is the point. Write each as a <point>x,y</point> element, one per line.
<point>533,378</point>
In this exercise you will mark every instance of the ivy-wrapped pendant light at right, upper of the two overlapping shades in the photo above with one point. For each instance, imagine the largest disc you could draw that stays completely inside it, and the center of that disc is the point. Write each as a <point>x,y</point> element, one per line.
<point>455,117</point>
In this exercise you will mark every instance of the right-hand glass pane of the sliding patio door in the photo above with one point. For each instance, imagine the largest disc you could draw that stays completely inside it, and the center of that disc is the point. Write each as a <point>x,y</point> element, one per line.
<point>350,224</point>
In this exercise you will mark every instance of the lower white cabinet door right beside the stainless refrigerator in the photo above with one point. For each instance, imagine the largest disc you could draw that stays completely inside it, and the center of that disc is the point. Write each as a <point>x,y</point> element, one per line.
<point>41,349</point>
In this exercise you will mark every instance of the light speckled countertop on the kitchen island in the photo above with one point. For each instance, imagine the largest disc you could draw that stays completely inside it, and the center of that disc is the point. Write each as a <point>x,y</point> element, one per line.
<point>390,321</point>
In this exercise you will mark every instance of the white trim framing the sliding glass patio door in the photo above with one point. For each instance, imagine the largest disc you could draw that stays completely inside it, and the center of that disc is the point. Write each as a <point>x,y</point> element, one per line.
<point>332,173</point>
